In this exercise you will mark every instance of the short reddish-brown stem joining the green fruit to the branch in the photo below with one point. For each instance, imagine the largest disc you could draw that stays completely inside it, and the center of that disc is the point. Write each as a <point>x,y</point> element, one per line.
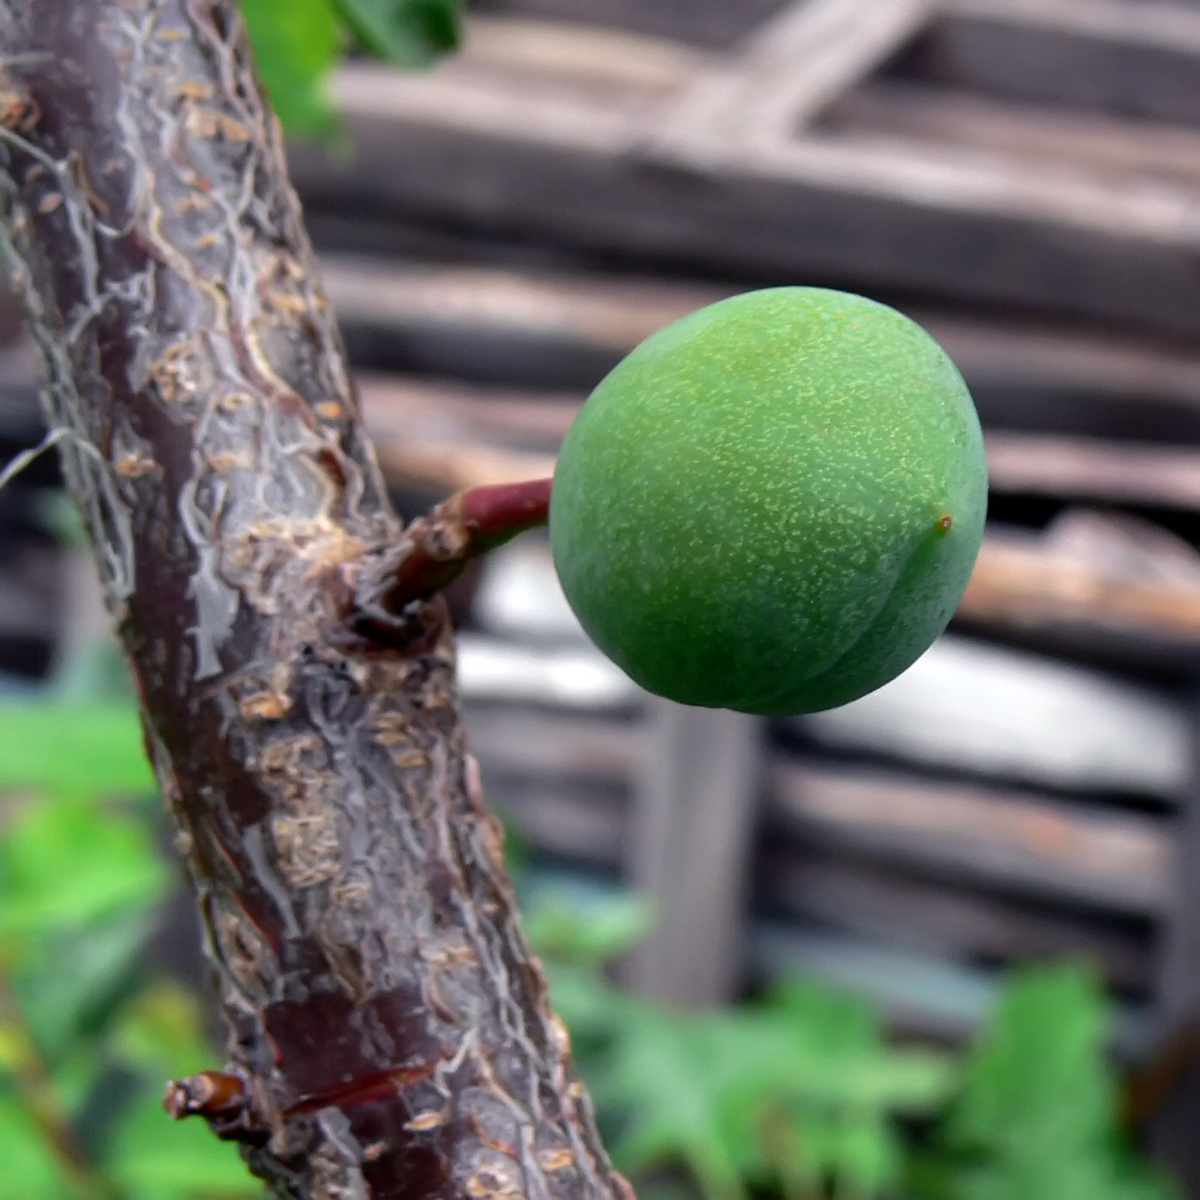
<point>439,545</point>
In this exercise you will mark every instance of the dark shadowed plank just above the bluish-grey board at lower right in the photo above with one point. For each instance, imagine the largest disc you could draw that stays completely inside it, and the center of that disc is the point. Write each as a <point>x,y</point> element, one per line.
<point>955,923</point>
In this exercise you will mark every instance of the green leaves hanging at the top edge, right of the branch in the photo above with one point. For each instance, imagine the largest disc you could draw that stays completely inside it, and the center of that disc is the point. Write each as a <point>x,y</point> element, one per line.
<point>299,43</point>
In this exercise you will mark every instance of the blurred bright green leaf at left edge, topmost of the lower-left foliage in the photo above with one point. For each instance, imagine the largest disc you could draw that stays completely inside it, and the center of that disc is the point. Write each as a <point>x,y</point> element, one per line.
<point>79,749</point>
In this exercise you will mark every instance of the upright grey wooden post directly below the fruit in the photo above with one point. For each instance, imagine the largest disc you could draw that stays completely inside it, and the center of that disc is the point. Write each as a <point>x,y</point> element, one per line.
<point>691,831</point>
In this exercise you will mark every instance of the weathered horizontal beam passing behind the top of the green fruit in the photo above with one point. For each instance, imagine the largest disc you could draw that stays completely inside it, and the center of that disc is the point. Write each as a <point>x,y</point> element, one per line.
<point>571,329</point>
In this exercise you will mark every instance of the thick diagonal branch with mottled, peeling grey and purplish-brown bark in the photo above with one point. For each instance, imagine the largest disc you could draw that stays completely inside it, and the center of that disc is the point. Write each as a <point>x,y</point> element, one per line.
<point>388,1025</point>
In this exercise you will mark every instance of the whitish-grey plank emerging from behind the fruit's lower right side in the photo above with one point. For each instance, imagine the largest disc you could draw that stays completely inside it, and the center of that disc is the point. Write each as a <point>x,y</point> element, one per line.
<point>988,711</point>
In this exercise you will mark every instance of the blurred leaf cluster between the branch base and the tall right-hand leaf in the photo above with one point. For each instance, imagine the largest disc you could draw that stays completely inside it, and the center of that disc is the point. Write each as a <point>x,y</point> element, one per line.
<point>789,1096</point>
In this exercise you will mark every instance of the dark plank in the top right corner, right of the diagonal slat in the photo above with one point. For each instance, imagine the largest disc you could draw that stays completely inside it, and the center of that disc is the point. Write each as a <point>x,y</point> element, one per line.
<point>1142,59</point>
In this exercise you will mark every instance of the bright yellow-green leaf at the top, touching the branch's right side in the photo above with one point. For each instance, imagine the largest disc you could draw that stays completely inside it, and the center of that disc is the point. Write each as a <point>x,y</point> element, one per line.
<point>297,45</point>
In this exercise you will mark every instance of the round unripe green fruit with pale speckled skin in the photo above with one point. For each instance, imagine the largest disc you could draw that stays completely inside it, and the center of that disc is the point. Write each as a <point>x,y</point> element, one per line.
<point>773,505</point>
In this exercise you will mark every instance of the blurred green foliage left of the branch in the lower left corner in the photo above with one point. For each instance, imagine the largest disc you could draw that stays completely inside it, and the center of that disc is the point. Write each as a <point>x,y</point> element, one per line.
<point>89,1033</point>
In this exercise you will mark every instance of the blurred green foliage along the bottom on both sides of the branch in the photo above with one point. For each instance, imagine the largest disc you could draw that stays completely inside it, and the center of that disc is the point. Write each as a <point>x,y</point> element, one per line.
<point>797,1095</point>
